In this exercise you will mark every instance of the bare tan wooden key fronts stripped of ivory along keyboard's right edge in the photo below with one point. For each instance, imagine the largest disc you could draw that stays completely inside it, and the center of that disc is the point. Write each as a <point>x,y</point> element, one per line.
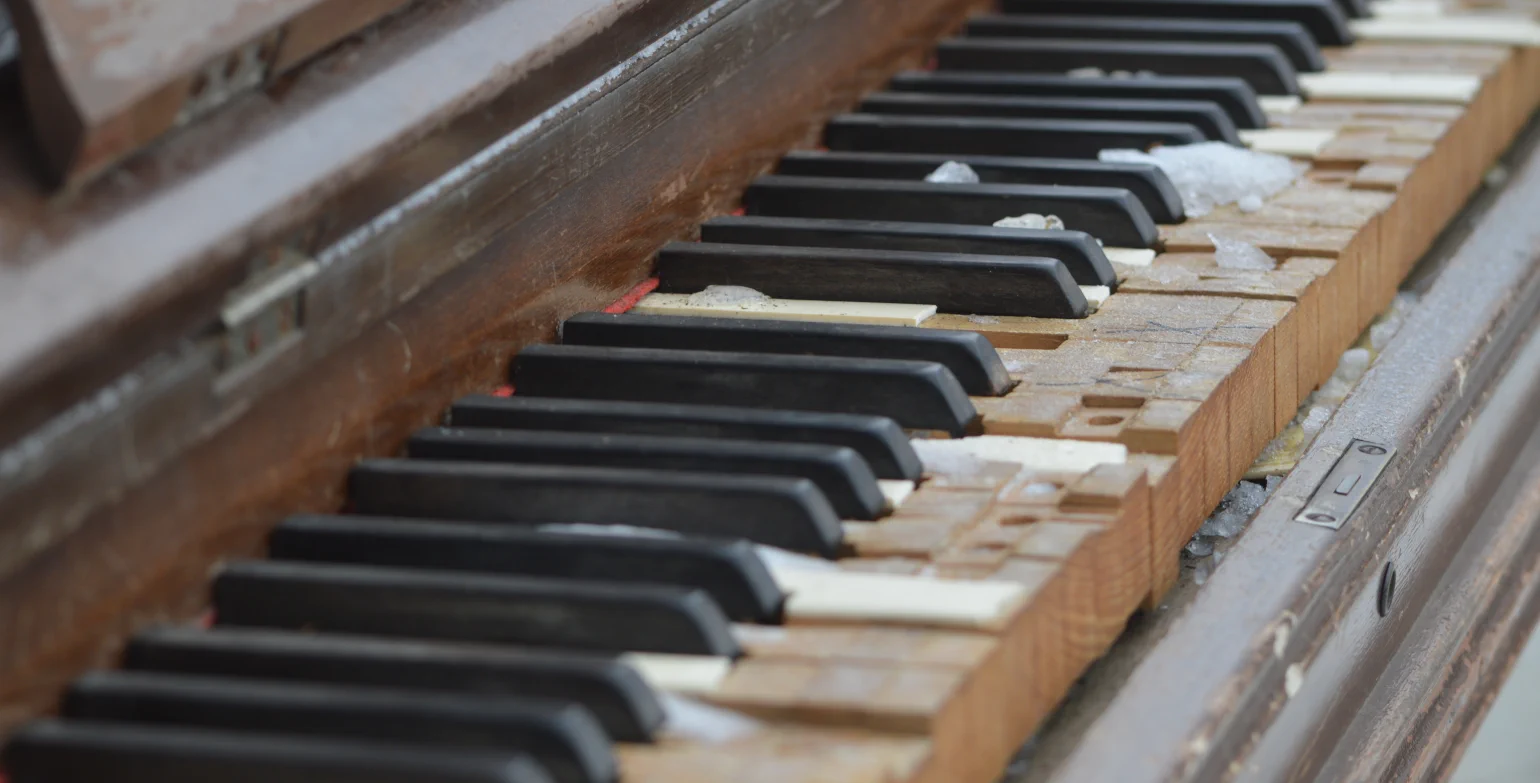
<point>1193,366</point>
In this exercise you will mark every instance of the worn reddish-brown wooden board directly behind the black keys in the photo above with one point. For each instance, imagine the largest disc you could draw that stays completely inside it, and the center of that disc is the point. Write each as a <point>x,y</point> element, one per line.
<point>669,144</point>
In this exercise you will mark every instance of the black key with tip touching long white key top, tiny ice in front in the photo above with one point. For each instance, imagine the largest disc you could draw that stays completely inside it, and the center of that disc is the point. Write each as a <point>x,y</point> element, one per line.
<point>1262,66</point>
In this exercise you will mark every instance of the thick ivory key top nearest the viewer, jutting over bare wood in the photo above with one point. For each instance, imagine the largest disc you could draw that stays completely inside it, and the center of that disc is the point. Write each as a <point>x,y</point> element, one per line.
<point>888,599</point>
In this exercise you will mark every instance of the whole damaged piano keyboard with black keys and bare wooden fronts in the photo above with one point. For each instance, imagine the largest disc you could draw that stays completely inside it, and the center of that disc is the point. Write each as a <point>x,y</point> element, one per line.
<point>697,543</point>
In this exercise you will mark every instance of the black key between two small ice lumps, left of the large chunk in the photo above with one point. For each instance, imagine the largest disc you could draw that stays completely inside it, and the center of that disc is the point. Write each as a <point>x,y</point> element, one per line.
<point>1110,215</point>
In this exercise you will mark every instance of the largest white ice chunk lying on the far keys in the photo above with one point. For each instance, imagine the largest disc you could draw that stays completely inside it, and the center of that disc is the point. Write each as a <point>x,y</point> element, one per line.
<point>1211,175</point>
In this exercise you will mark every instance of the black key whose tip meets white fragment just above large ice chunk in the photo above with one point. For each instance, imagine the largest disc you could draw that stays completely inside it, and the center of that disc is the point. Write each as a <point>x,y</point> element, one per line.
<point>1207,116</point>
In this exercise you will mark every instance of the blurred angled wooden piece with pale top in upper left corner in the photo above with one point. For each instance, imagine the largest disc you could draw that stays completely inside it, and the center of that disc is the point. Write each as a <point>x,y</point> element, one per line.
<point>107,79</point>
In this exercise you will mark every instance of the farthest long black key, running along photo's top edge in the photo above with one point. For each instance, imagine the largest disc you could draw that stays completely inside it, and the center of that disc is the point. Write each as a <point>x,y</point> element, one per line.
<point>1325,19</point>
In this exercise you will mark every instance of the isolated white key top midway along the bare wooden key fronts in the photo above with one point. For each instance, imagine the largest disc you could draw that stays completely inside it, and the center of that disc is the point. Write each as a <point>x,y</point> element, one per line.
<point>1042,454</point>
